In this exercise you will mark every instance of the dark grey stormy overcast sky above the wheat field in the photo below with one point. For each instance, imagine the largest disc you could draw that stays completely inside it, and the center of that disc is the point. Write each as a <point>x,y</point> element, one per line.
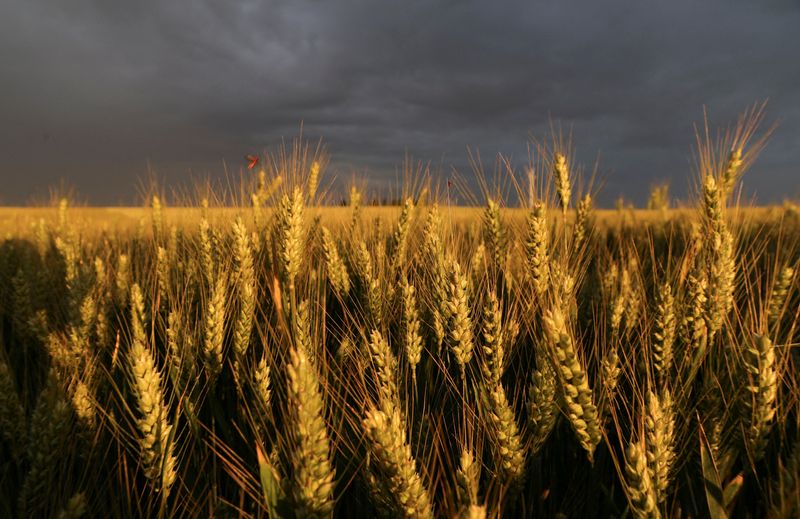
<point>93,91</point>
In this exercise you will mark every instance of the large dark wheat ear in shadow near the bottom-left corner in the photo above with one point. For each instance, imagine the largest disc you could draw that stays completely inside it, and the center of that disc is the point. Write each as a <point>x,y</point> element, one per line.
<point>50,424</point>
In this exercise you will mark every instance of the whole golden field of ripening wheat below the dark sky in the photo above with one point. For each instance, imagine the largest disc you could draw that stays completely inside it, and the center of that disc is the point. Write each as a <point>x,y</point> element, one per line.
<point>290,360</point>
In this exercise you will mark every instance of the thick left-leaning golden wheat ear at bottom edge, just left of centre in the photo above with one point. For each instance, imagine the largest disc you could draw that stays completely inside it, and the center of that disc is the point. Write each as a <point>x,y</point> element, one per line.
<point>386,437</point>
